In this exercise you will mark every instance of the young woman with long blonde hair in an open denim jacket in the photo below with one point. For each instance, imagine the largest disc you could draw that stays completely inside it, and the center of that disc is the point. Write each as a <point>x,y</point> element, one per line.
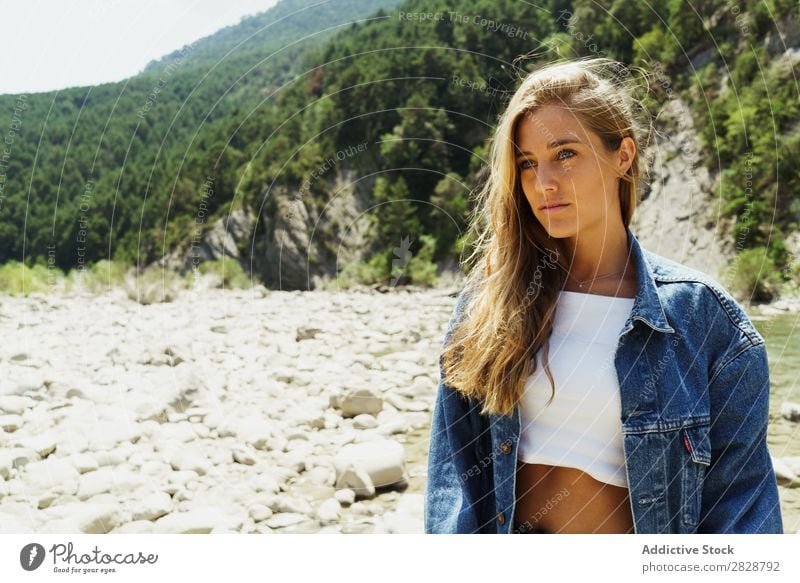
<point>587,384</point>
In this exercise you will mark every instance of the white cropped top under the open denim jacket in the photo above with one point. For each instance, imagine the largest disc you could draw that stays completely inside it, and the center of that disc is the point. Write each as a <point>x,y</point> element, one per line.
<point>581,427</point>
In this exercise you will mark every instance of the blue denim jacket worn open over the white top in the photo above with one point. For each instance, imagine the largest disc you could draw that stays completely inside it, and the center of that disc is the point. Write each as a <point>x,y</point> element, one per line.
<point>694,388</point>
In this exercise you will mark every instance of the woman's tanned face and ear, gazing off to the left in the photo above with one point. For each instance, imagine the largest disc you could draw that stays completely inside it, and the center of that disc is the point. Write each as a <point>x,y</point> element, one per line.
<point>562,163</point>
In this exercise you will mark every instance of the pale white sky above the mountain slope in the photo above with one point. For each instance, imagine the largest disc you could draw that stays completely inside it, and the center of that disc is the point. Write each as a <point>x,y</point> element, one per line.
<point>55,44</point>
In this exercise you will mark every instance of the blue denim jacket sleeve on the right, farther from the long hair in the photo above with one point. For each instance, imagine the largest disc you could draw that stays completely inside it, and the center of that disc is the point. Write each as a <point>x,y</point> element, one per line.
<point>740,491</point>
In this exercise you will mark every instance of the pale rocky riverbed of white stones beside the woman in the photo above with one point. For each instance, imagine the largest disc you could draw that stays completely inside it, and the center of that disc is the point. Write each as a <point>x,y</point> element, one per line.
<point>224,411</point>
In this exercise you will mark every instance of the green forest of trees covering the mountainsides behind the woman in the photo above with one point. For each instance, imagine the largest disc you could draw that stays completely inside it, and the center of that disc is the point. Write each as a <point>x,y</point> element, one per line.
<point>117,171</point>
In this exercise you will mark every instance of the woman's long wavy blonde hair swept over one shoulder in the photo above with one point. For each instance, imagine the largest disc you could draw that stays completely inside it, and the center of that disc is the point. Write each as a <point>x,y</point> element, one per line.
<point>517,268</point>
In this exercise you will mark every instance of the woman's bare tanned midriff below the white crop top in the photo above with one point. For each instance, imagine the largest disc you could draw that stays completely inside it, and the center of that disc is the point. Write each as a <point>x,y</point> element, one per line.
<point>557,499</point>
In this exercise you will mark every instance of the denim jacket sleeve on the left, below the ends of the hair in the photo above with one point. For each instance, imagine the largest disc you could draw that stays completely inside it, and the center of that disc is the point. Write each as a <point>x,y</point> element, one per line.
<point>447,506</point>
